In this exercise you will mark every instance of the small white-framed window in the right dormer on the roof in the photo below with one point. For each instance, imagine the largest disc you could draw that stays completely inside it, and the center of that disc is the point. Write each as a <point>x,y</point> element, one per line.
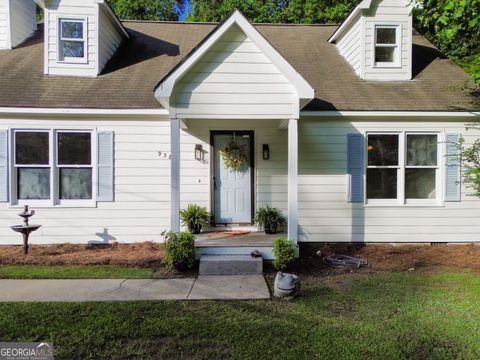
<point>387,45</point>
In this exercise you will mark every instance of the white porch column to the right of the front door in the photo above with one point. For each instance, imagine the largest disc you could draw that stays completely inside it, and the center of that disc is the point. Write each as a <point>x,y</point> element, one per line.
<point>293,179</point>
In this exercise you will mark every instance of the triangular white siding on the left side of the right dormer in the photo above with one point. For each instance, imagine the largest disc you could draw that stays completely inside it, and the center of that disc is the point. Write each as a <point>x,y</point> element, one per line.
<point>349,45</point>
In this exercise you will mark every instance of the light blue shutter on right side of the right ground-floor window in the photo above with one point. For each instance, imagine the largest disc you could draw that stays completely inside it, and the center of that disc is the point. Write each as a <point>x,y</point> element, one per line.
<point>453,181</point>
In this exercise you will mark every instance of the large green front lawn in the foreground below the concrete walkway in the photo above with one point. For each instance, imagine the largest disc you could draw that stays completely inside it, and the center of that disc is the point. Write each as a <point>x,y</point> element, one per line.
<point>405,315</point>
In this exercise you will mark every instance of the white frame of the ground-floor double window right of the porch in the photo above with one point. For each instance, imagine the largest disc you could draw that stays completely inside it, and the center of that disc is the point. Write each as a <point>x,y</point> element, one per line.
<point>401,200</point>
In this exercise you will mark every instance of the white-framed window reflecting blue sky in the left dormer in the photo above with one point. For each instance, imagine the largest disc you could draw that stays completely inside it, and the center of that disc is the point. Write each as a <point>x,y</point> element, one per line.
<point>73,40</point>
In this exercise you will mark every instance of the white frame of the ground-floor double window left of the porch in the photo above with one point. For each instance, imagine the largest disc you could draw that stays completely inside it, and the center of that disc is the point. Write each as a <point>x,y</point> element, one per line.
<point>54,200</point>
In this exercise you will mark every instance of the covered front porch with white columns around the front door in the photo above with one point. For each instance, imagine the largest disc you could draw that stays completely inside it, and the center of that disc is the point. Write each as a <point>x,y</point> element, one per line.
<point>271,181</point>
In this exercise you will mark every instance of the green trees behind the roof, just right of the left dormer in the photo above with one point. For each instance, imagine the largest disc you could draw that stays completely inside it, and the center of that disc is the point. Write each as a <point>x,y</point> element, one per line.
<point>145,9</point>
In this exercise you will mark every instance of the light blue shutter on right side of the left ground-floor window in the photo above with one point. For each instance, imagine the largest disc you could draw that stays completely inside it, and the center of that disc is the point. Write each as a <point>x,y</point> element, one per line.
<point>105,163</point>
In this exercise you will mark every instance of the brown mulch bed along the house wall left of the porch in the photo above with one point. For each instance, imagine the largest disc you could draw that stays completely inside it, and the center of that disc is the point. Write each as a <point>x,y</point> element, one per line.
<point>146,254</point>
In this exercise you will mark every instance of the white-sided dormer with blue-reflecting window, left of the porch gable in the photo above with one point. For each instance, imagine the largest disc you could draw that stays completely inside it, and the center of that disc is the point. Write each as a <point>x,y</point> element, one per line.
<point>80,36</point>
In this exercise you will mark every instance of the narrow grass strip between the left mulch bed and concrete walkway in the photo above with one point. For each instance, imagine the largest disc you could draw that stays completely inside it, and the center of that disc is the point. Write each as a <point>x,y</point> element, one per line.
<point>74,272</point>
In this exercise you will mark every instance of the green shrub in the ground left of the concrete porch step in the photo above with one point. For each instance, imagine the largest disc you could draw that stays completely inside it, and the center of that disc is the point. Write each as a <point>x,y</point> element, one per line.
<point>180,249</point>
